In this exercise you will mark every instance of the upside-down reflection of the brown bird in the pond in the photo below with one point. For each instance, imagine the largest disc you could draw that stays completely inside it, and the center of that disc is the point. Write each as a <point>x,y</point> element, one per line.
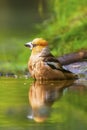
<point>42,94</point>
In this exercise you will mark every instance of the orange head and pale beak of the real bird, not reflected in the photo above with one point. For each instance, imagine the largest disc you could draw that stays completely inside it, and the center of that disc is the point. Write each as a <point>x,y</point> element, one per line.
<point>37,45</point>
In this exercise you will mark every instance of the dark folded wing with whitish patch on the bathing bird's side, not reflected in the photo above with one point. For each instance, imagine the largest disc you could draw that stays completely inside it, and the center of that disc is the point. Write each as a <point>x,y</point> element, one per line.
<point>53,62</point>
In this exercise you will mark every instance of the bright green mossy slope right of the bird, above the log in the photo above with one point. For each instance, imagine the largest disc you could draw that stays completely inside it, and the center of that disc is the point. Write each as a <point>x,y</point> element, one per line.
<point>66,29</point>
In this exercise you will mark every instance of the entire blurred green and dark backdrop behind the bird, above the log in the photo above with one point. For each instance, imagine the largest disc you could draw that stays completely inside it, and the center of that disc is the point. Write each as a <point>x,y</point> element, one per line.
<point>62,22</point>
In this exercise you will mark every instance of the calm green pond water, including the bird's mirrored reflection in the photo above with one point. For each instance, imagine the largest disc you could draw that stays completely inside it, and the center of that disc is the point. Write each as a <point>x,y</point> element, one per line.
<point>29,105</point>
